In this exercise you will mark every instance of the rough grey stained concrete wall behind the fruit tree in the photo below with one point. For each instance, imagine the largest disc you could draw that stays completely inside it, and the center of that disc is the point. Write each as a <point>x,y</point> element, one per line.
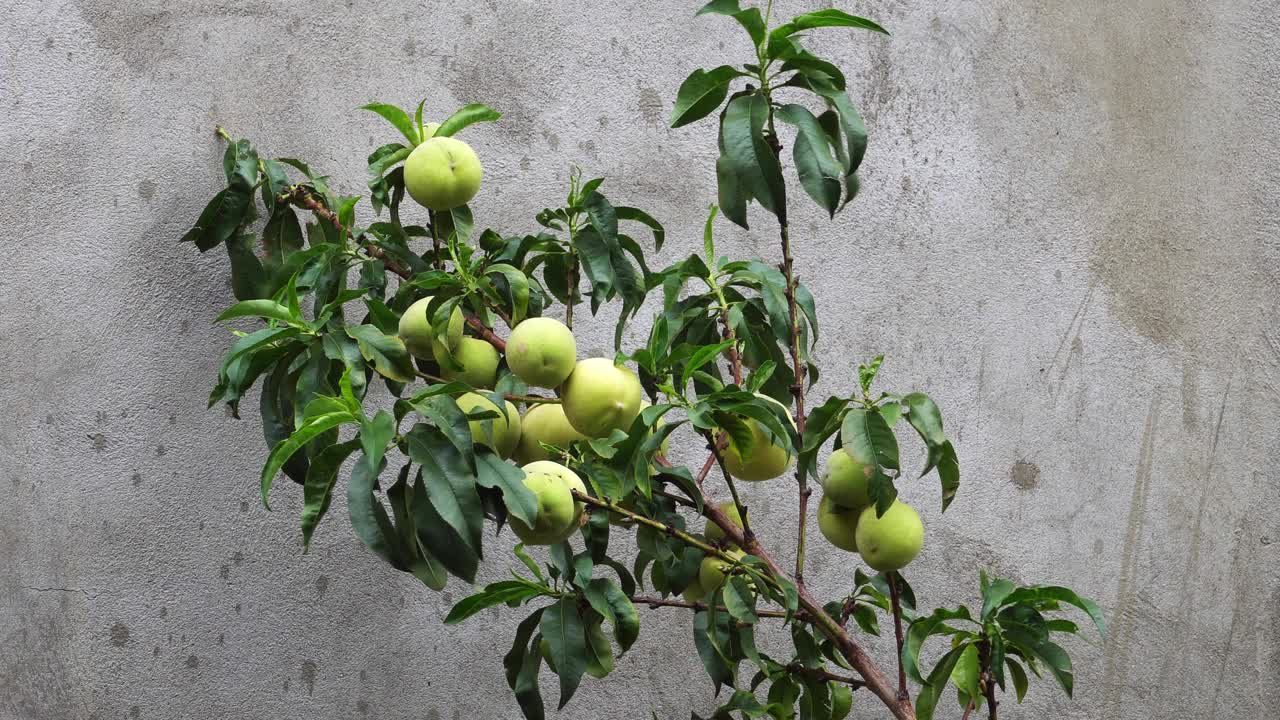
<point>1068,236</point>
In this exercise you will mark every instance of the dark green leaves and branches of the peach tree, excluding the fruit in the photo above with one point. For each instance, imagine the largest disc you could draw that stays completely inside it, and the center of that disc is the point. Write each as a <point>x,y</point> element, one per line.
<point>346,408</point>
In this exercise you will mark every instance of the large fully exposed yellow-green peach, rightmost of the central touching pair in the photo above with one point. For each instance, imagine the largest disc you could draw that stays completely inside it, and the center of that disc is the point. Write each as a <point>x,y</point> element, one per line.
<point>601,398</point>
